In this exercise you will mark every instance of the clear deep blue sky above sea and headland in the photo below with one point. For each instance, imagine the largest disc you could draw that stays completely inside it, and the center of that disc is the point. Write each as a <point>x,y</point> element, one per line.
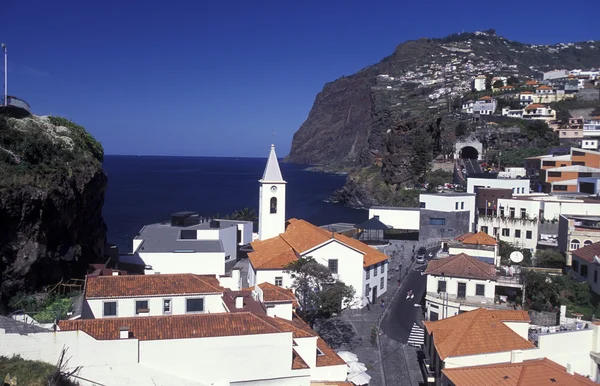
<point>217,78</point>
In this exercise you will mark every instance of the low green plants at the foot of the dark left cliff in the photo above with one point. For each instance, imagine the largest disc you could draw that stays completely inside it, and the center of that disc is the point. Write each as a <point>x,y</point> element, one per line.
<point>45,308</point>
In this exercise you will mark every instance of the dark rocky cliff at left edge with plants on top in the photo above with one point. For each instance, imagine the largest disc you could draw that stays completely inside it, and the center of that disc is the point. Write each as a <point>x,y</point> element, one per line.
<point>51,194</point>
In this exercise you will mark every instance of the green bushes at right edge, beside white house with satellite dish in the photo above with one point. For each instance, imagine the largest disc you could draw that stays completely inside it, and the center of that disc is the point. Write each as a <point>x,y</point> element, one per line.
<point>548,292</point>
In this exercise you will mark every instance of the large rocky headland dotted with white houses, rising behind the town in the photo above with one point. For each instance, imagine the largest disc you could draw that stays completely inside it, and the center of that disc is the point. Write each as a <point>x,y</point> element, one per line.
<point>384,114</point>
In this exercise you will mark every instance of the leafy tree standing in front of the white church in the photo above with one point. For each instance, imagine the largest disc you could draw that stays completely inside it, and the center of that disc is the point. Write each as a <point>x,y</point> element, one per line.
<point>319,294</point>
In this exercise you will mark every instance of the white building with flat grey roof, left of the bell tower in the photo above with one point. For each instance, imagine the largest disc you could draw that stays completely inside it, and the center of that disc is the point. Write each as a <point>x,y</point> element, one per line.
<point>189,244</point>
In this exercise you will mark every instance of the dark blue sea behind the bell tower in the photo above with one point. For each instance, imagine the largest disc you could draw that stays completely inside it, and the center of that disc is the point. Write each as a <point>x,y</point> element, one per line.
<point>147,189</point>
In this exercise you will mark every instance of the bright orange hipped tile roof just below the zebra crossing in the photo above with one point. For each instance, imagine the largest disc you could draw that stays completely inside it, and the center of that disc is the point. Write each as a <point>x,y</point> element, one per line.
<point>477,332</point>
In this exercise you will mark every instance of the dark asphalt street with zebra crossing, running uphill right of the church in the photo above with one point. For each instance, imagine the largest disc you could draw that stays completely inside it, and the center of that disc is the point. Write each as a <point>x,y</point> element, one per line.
<point>398,322</point>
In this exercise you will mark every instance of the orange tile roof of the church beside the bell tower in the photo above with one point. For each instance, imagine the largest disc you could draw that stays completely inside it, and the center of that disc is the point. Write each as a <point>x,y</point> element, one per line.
<point>299,237</point>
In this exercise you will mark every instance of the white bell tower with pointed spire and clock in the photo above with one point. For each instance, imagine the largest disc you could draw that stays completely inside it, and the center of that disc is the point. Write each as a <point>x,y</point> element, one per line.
<point>271,205</point>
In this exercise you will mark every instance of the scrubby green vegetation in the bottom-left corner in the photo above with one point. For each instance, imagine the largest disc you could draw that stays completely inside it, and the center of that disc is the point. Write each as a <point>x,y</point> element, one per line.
<point>32,373</point>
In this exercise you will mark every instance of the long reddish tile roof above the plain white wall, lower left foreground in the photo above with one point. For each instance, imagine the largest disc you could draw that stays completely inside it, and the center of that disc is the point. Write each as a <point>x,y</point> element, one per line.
<point>173,327</point>
